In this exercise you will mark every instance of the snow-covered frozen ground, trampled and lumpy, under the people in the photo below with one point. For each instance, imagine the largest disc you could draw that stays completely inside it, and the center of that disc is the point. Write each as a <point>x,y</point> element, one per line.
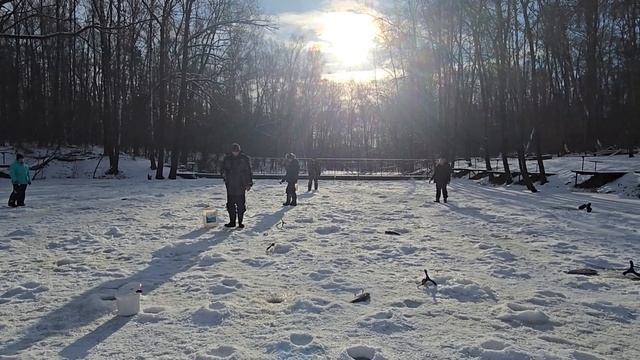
<point>498,254</point>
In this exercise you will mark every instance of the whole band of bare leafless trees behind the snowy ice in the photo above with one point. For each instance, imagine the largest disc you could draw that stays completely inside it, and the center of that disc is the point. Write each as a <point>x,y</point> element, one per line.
<point>462,78</point>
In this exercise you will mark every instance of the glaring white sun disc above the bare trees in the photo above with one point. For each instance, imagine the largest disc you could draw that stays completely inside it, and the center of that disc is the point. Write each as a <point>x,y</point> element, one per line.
<point>349,37</point>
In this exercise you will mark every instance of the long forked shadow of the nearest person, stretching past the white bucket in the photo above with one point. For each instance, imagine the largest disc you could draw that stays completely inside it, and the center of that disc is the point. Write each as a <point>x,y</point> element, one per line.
<point>166,262</point>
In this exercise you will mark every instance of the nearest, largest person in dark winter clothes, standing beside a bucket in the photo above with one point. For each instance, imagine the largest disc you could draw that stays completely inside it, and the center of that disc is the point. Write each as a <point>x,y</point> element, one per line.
<point>237,175</point>
